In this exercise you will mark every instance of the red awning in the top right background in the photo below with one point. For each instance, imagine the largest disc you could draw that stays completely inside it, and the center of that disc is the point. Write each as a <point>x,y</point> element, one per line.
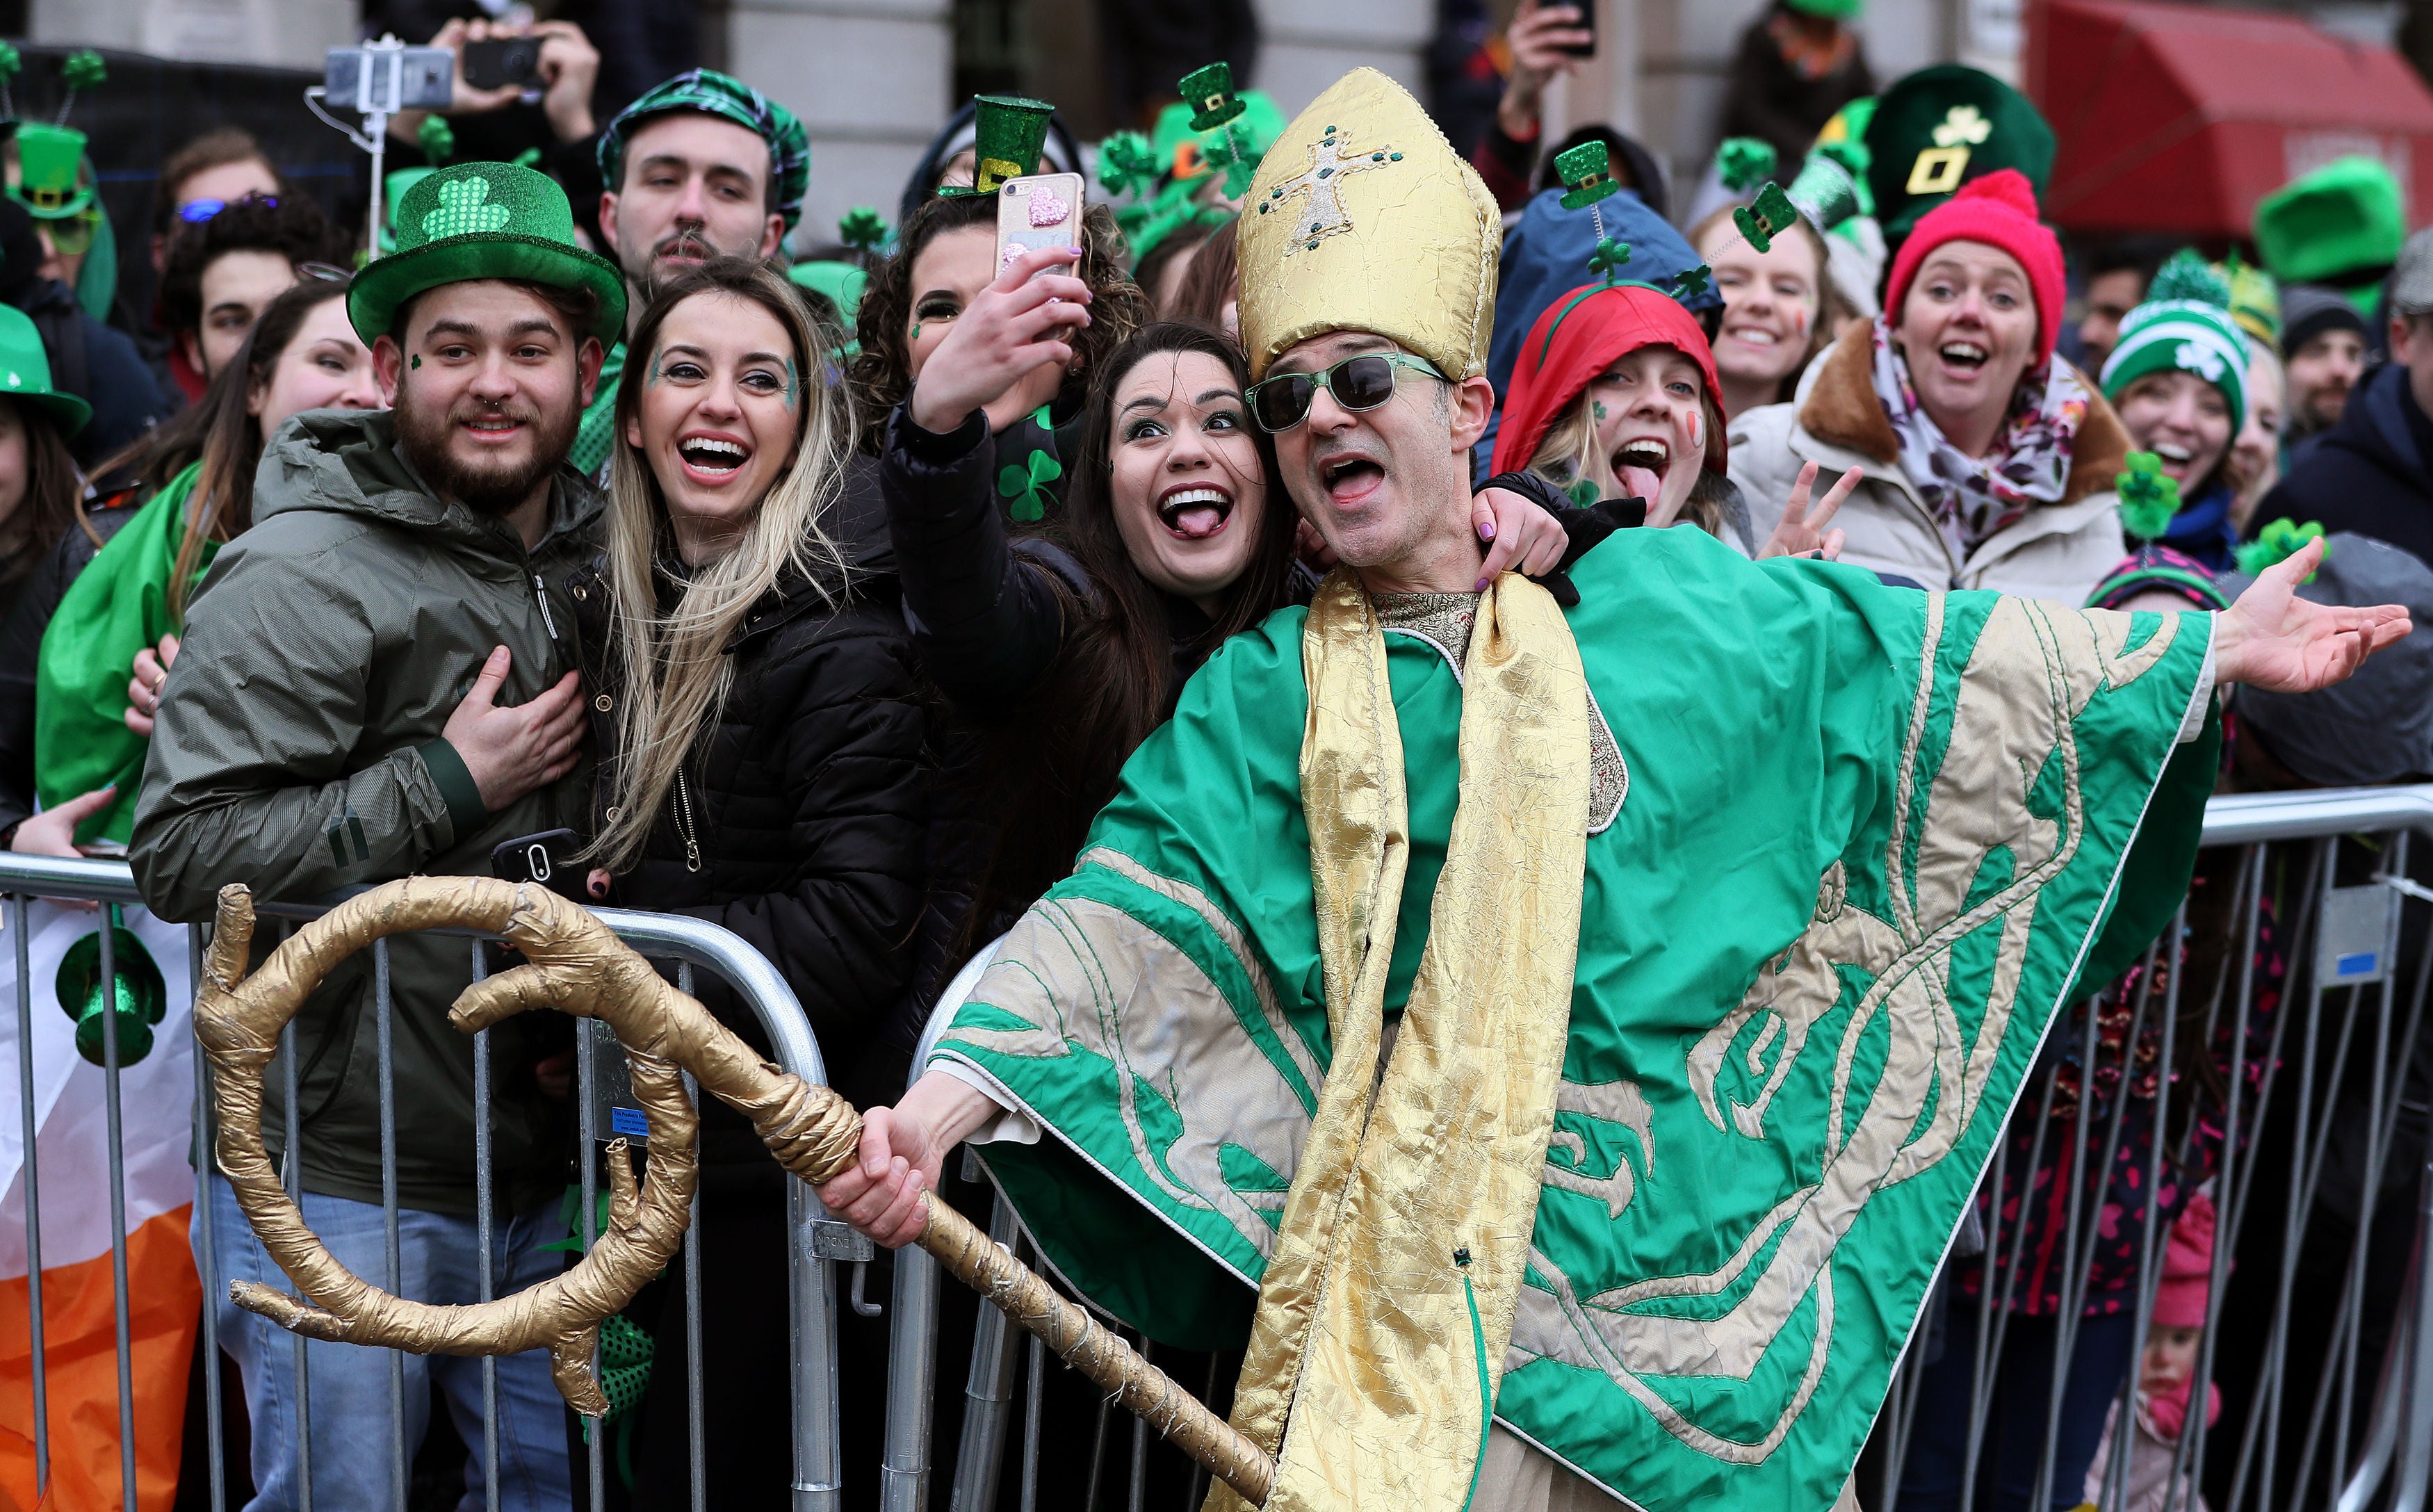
<point>2181,118</point>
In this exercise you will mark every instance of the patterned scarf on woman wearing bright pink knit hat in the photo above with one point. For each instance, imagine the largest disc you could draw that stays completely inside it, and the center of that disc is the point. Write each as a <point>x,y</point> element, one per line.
<point>1977,498</point>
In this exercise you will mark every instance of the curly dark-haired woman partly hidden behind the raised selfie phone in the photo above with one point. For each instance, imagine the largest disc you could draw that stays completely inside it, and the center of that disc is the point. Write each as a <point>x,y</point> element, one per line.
<point>945,262</point>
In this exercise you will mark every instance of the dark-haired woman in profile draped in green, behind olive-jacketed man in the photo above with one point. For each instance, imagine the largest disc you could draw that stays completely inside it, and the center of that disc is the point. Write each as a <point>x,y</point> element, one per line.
<point>86,651</point>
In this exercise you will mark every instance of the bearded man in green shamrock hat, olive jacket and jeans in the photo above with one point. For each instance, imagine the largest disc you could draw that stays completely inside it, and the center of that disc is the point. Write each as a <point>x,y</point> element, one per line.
<point>378,681</point>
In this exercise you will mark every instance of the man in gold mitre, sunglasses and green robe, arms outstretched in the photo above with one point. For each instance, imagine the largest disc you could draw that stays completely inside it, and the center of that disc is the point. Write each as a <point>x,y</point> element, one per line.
<point>1558,1043</point>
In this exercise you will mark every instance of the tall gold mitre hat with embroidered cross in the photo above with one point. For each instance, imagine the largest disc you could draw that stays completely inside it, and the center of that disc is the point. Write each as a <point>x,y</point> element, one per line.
<point>1366,220</point>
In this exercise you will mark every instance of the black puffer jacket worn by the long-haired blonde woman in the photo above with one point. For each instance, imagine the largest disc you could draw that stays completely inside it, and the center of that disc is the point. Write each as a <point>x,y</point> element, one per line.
<point>807,812</point>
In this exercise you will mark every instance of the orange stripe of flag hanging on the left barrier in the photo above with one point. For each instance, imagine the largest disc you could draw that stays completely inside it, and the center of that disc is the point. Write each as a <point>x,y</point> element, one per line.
<point>84,1374</point>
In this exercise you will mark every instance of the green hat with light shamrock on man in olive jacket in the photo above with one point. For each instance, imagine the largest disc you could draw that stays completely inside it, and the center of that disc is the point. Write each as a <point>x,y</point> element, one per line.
<point>483,220</point>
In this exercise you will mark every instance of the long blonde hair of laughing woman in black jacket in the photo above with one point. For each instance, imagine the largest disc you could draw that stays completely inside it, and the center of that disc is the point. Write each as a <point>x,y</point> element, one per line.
<point>675,666</point>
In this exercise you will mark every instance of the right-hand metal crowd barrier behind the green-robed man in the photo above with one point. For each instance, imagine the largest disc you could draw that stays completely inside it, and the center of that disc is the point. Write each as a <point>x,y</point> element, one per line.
<point>2354,1435</point>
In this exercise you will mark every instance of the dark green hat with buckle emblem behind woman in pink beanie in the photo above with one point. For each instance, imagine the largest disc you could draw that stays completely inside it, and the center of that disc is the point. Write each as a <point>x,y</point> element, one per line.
<point>1940,128</point>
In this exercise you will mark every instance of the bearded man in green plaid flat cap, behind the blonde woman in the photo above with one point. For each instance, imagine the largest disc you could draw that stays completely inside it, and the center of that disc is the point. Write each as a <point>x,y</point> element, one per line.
<point>695,169</point>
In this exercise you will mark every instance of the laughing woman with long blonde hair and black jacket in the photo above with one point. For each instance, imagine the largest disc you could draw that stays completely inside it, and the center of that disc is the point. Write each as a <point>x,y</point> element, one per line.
<point>760,741</point>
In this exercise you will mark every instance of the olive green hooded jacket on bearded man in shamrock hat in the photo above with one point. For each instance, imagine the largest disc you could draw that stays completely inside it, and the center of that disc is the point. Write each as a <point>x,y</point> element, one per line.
<point>300,751</point>
